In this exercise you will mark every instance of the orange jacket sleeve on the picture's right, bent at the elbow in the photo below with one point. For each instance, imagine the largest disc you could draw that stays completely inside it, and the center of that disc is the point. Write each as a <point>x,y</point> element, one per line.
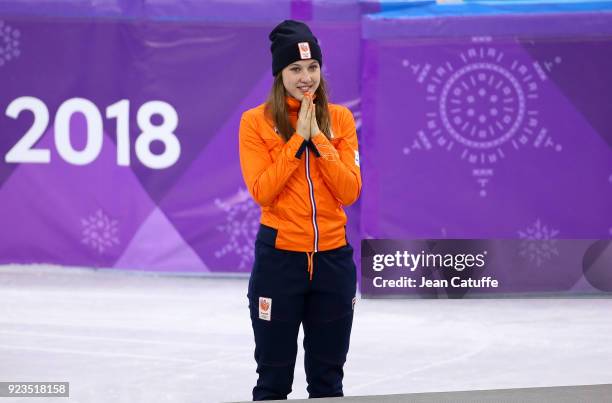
<point>340,164</point>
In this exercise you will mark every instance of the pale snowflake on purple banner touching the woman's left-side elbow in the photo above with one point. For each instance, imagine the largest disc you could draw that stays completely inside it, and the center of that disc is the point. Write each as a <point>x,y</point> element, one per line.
<point>242,216</point>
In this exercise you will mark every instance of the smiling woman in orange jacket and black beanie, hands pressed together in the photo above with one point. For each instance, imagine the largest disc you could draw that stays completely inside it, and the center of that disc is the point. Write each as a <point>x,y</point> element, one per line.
<point>300,162</point>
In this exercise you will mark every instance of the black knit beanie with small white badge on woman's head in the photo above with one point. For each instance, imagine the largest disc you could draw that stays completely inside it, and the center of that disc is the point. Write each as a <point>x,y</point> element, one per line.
<point>292,41</point>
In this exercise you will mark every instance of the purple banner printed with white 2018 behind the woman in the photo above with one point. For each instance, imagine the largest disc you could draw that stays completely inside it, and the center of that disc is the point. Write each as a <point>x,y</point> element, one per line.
<point>120,139</point>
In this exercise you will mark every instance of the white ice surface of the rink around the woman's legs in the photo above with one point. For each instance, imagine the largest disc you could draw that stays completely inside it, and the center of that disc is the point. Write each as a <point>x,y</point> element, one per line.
<point>132,337</point>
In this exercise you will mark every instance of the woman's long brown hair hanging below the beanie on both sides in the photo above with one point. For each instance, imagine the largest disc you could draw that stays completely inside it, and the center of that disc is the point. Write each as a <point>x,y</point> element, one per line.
<point>276,108</point>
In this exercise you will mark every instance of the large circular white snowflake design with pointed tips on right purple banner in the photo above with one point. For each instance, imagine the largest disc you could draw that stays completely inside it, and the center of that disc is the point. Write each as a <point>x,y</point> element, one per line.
<point>483,104</point>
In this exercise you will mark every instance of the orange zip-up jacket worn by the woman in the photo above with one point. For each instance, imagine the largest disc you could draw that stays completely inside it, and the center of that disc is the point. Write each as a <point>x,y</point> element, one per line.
<point>301,194</point>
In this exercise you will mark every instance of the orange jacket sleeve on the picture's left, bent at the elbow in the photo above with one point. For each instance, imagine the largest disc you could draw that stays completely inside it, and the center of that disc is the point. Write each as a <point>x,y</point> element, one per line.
<point>265,178</point>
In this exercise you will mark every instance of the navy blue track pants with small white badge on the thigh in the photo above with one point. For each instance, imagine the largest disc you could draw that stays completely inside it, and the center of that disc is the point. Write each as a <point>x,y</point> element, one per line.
<point>280,286</point>
